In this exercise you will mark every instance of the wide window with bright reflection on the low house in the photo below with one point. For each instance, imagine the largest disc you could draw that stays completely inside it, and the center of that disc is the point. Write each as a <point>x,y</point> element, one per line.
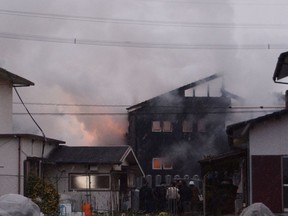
<point>89,182</point>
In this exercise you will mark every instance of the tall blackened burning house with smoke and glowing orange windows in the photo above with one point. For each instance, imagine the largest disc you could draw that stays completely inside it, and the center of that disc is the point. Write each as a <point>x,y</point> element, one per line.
<point>170,133</point>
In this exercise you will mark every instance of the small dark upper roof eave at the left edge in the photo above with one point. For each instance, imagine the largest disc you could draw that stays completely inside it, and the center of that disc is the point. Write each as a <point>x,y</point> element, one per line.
<point>14,79</point>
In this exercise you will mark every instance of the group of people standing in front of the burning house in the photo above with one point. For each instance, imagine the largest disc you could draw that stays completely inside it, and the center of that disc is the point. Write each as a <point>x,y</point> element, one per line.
<point>177,198</point>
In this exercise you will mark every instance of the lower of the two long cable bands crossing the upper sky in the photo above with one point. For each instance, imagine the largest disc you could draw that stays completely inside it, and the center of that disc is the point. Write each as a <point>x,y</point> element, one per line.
<point>142,44</point>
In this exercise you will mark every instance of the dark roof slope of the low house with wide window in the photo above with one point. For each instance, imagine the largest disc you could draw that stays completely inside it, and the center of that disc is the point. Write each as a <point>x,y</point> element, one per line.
<point>88,154</point>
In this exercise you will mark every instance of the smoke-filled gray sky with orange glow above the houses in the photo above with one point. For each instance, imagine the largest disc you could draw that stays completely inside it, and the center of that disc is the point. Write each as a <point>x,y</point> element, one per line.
<point>122,52</point>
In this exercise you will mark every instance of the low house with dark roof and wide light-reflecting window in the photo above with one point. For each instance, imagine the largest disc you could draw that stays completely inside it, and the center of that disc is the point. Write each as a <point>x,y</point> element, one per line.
<point>102,176</point>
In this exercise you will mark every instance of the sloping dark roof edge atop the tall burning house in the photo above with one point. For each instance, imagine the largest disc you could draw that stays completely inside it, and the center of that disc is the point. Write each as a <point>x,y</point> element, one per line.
<point>175,92</point>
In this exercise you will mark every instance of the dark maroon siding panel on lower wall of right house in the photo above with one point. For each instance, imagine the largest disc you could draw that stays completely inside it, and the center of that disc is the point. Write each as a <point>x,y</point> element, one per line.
<point>267,181</point>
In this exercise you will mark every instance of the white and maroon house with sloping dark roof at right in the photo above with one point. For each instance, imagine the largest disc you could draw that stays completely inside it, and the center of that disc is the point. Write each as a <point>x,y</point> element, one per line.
<point>265,139</point>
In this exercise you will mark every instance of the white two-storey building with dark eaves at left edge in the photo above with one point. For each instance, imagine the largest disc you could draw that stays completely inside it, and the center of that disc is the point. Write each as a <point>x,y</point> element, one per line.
<point>20,154</point>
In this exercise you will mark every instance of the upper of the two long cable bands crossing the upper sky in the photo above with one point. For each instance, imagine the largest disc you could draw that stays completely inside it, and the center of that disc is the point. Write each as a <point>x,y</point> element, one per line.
<point>142,22</point>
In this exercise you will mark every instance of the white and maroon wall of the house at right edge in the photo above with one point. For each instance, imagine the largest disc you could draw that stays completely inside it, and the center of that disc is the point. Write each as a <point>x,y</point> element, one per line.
<point>267,145</point>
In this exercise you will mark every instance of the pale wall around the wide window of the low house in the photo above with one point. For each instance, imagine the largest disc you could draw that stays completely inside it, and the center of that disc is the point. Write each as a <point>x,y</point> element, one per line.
<point>105,200</point>
